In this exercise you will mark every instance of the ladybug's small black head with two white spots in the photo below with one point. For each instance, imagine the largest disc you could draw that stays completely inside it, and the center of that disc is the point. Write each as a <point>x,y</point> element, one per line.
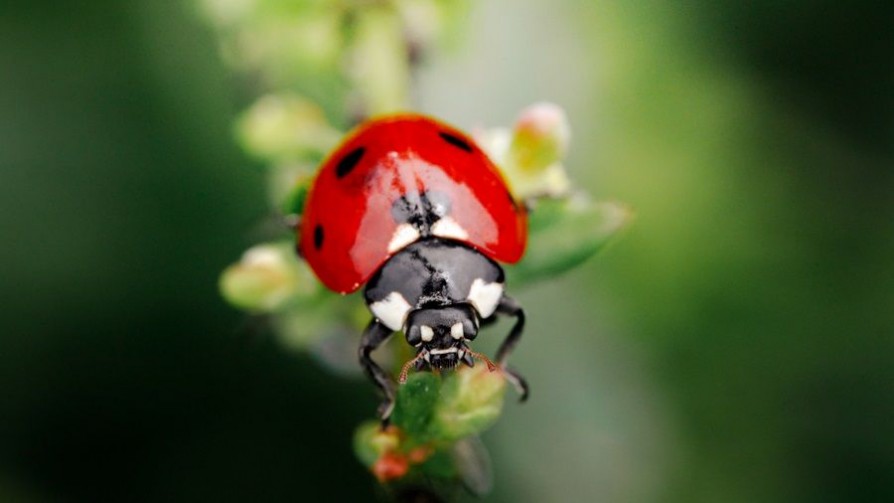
<point>440,334</point>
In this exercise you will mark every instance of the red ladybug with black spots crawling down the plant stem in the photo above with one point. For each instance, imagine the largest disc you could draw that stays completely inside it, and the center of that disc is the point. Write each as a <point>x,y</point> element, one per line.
<point>415,211</point>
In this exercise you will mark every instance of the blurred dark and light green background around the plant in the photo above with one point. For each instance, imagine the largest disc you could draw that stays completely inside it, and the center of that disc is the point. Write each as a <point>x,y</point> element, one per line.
<point>736,345</point>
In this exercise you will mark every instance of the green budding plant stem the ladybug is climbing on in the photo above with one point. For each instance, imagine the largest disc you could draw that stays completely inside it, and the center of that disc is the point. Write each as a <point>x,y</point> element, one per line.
<point>322,66</point>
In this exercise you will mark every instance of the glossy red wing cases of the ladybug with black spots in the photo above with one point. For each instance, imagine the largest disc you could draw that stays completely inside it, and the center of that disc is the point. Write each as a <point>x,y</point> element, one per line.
<point>347,223</point>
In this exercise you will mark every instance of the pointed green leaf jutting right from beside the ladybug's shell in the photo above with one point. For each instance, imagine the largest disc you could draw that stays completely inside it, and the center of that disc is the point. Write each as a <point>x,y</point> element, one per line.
<point>563,234</point>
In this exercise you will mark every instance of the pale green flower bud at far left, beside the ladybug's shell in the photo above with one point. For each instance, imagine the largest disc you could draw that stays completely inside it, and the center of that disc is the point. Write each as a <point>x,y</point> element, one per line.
<point>266,278</point>
